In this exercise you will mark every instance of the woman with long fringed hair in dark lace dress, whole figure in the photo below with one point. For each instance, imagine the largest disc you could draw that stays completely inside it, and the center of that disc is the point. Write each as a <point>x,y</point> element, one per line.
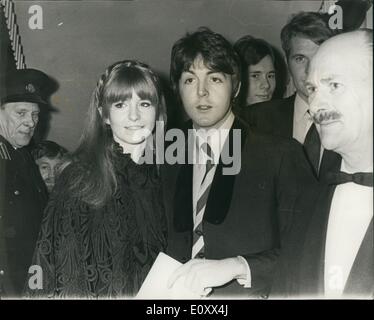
<point>104,223</point>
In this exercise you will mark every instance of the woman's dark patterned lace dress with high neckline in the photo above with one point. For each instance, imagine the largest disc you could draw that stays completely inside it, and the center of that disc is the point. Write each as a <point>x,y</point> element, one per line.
<point>104,252</point>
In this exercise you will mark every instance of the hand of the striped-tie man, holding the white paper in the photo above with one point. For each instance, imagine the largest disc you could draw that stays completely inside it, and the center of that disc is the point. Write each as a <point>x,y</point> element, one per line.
<point>201,275</point>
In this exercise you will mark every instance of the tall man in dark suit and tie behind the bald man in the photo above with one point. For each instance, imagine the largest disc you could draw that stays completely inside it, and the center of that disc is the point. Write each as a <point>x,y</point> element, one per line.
<point>289,117</point>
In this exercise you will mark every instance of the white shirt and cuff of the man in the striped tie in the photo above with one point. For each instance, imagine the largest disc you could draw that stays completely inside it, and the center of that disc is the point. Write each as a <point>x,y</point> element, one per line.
<point>216,139</point>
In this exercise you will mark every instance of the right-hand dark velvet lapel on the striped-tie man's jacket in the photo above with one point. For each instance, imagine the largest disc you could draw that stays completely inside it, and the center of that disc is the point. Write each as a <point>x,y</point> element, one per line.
<point>220,194</point>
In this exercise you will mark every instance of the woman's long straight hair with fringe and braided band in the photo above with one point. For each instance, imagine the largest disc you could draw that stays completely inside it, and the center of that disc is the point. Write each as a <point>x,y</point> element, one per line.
<point>96,182</point>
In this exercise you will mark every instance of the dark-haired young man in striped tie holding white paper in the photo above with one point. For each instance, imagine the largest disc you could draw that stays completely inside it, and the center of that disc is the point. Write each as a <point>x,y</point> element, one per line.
<point>228,206</point>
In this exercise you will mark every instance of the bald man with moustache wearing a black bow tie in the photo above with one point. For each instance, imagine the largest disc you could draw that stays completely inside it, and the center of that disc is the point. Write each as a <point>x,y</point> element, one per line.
<point>329,251</point>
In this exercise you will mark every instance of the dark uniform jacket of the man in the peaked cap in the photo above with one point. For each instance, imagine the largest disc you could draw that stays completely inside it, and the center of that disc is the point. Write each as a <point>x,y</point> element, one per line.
<point>23,197</point>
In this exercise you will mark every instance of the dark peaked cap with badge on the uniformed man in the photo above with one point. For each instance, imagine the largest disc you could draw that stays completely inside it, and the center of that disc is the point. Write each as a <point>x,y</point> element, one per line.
<point>23,85</point>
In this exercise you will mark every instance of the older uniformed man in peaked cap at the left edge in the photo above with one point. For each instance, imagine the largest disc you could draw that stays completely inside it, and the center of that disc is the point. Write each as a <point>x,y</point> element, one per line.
<point>23,194</point>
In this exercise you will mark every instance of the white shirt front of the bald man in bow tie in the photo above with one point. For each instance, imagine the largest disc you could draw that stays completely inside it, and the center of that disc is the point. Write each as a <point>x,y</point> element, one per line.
<point>350,215</point>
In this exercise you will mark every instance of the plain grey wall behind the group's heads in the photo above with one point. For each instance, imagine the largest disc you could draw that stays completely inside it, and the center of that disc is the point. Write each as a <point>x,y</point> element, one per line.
<point>80,39</point>
